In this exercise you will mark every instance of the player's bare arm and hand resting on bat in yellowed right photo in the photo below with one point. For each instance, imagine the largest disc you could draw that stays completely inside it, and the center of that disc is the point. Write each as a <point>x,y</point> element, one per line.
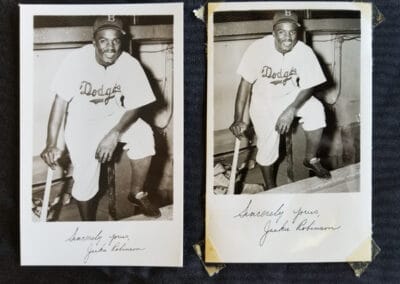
<point>238,126</point>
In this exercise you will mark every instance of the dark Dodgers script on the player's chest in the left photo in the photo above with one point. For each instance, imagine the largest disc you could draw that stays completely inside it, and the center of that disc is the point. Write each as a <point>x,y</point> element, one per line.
<point>101,94</point>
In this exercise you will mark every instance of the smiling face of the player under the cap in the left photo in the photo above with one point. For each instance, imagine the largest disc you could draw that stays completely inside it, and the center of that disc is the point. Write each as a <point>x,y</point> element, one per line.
<point>108,46</point>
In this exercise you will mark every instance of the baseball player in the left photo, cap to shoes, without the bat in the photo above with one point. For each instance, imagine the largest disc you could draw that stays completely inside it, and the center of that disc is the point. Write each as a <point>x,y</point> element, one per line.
<point>100,89</point>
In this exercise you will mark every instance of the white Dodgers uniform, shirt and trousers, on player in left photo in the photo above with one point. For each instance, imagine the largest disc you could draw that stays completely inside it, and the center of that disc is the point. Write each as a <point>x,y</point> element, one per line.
<point>98,96</point>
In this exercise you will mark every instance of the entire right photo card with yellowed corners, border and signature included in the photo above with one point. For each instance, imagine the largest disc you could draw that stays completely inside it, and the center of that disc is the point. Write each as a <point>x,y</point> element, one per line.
<point>285,119</point>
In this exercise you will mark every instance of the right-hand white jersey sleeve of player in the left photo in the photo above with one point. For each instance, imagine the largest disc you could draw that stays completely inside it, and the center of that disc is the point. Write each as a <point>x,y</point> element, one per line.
<point>136,87</point>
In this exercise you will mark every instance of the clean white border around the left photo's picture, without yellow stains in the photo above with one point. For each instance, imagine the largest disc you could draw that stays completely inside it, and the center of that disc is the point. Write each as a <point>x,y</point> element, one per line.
<point>44,243</point>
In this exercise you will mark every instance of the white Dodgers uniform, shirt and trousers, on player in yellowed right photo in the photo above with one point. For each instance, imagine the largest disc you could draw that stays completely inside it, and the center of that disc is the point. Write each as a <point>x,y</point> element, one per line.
<point>277,79</point>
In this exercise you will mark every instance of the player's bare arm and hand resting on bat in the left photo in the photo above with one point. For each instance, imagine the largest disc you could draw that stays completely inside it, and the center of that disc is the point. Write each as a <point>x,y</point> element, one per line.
<point>51,153</point>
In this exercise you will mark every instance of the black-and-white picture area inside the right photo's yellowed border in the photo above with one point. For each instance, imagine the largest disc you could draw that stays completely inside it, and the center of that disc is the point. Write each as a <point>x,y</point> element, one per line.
<point>287,91</point>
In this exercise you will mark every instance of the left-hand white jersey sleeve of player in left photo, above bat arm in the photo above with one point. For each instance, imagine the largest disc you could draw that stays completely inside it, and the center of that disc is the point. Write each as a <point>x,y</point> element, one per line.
<point>63,81</point>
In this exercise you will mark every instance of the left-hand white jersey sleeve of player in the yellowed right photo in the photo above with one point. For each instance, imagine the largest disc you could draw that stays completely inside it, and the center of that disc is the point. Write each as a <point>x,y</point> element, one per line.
<point>248,64</point>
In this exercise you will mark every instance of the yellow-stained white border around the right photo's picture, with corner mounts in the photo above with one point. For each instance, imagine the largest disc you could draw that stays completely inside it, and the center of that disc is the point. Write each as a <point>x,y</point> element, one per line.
<point>232,240</point>
